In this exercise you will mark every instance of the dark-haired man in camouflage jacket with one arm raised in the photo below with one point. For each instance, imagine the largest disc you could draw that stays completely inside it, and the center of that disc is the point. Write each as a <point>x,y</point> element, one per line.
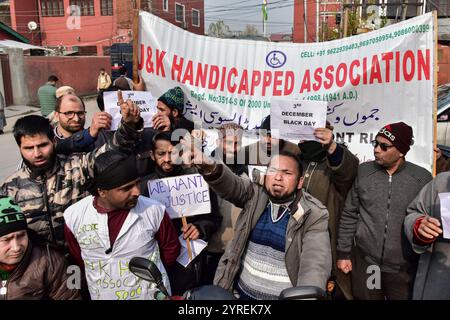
<point>49,183</point>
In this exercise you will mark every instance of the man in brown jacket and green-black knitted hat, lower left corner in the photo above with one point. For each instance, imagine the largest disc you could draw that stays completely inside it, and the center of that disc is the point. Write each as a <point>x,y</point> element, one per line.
<point>28,271</point>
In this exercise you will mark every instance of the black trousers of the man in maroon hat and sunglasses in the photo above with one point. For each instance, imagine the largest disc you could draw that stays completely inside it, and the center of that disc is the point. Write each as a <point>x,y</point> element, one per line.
<point>392,285</point>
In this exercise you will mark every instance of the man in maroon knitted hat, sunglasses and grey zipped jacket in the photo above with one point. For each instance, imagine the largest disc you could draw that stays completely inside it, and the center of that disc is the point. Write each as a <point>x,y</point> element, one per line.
<point>371,244</point>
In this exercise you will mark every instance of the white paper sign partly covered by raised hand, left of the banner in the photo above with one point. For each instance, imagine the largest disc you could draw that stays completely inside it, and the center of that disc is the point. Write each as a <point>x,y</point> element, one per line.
<point>143,99</point>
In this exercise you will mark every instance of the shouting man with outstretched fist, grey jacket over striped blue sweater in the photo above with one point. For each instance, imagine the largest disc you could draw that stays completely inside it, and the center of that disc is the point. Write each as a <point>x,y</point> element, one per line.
<point>281,237</point>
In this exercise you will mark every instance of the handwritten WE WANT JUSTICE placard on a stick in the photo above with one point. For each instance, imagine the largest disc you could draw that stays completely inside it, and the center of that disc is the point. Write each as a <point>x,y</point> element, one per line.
<point>186,195</point>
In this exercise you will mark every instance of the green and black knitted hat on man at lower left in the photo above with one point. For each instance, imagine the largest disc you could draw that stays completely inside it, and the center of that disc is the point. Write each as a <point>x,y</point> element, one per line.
<point>11,217</point>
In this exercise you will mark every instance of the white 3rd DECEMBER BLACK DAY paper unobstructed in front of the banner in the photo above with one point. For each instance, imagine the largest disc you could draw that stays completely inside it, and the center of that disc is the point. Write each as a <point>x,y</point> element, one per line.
<point>295,120</point>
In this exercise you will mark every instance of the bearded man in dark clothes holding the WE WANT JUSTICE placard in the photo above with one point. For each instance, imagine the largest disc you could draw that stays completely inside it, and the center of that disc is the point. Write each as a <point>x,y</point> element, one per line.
<point>200,226</point>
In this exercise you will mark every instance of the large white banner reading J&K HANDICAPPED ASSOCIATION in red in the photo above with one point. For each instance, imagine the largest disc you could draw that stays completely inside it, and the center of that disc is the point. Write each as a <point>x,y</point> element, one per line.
<point>367,80</point>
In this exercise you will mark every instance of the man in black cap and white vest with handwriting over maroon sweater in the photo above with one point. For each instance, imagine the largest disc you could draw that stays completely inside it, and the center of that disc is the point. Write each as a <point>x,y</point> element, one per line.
<point>106,230</point>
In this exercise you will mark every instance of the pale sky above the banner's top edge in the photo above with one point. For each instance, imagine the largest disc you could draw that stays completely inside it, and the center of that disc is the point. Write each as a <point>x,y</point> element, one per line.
<point>238,13</point>
